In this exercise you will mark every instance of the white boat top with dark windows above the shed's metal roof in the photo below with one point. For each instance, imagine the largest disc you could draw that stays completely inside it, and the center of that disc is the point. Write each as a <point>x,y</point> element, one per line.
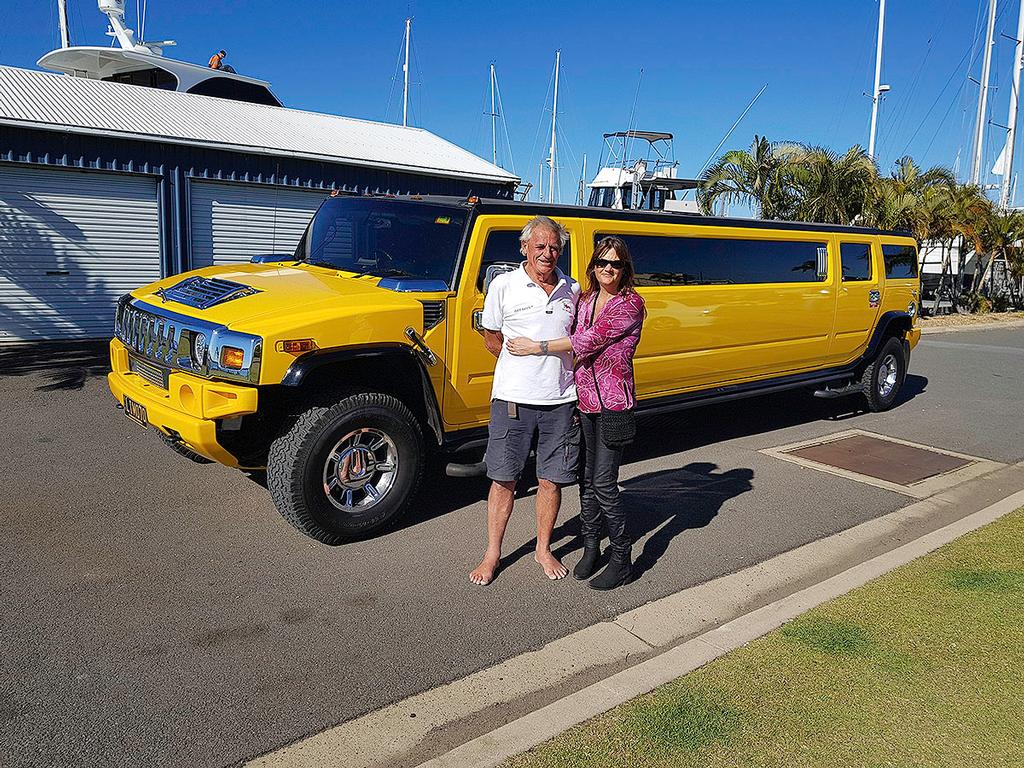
<point>143,63</point>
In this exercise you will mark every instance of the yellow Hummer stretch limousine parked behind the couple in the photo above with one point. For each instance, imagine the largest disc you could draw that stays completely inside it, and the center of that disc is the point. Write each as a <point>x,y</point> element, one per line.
<point>342,367</point>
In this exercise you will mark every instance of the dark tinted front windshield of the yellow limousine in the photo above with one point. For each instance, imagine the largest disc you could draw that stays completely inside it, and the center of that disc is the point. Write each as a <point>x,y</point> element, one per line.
<point>386,238</point>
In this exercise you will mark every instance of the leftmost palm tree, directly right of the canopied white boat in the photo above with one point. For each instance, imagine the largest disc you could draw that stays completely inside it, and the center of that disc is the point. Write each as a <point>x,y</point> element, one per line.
<point>757,178</point>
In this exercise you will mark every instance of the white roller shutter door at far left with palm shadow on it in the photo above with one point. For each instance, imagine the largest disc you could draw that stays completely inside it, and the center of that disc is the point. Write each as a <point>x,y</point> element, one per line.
<point>71,244</point>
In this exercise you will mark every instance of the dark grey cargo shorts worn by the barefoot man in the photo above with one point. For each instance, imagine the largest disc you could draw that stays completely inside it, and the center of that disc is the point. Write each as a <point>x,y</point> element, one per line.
<point>509,441</point>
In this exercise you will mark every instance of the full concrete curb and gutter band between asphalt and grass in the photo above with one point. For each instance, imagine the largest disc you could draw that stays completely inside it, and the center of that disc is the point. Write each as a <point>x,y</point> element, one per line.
<point>400,733</point>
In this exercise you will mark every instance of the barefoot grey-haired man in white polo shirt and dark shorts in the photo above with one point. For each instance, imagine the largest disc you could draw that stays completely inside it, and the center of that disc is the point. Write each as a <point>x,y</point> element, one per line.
<point>533,395</point>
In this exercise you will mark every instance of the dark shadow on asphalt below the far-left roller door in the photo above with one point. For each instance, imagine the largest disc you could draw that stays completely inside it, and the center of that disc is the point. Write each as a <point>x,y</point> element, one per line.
<point>64,365</point>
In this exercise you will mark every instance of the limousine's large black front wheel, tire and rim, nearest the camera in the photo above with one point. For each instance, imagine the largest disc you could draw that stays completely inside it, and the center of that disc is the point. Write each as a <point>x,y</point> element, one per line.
<point>343,471</point>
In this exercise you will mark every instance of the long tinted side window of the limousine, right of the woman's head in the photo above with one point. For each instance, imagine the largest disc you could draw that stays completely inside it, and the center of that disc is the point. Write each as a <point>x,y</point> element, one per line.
<point>708,262</point>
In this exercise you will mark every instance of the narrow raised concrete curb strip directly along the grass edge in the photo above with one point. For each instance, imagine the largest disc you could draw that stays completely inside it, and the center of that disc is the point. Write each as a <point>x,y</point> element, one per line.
<point>527,733</point>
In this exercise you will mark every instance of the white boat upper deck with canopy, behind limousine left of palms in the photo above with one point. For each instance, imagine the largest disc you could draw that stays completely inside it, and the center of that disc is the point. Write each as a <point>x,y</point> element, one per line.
<point>646,182</point>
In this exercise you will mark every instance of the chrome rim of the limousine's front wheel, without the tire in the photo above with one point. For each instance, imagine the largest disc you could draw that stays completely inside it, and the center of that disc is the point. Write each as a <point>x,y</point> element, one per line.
<point>360,471</point>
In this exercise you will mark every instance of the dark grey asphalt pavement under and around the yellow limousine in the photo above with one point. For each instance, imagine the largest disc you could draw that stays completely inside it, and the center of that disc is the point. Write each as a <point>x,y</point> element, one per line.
<point>159,613</point>
